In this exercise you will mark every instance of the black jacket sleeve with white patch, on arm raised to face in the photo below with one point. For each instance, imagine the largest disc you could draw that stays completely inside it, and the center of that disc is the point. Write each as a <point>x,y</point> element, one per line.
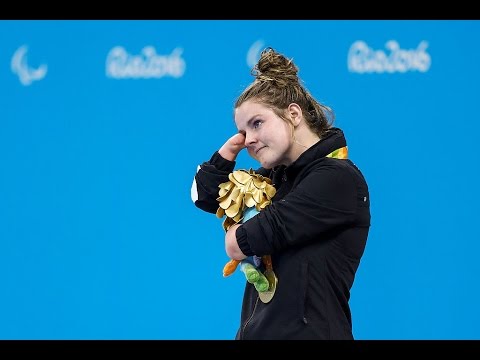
<point>209,175</point>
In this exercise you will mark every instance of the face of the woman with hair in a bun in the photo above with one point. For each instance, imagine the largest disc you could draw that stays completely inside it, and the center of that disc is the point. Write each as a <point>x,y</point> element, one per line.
<point>268,137</point>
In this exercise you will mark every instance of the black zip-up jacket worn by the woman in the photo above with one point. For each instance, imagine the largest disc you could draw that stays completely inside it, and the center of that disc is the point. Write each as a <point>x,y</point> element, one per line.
<point>315,229</point>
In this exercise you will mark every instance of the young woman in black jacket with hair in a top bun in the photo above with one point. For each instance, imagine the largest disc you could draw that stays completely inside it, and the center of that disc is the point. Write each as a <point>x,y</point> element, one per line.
<point>316,227</point>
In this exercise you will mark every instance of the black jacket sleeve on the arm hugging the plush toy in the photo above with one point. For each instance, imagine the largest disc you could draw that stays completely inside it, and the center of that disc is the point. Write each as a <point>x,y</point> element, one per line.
<point>324,200</point>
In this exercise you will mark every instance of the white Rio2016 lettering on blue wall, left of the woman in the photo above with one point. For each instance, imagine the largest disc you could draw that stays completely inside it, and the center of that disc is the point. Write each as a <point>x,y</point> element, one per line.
<point>122,65</point>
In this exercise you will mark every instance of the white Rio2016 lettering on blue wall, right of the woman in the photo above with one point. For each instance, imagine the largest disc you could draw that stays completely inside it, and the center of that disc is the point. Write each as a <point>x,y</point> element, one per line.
<point>364,59</point>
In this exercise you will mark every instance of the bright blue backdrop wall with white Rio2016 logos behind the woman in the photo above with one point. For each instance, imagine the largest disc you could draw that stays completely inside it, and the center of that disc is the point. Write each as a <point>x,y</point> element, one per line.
<point>103,124</point>
